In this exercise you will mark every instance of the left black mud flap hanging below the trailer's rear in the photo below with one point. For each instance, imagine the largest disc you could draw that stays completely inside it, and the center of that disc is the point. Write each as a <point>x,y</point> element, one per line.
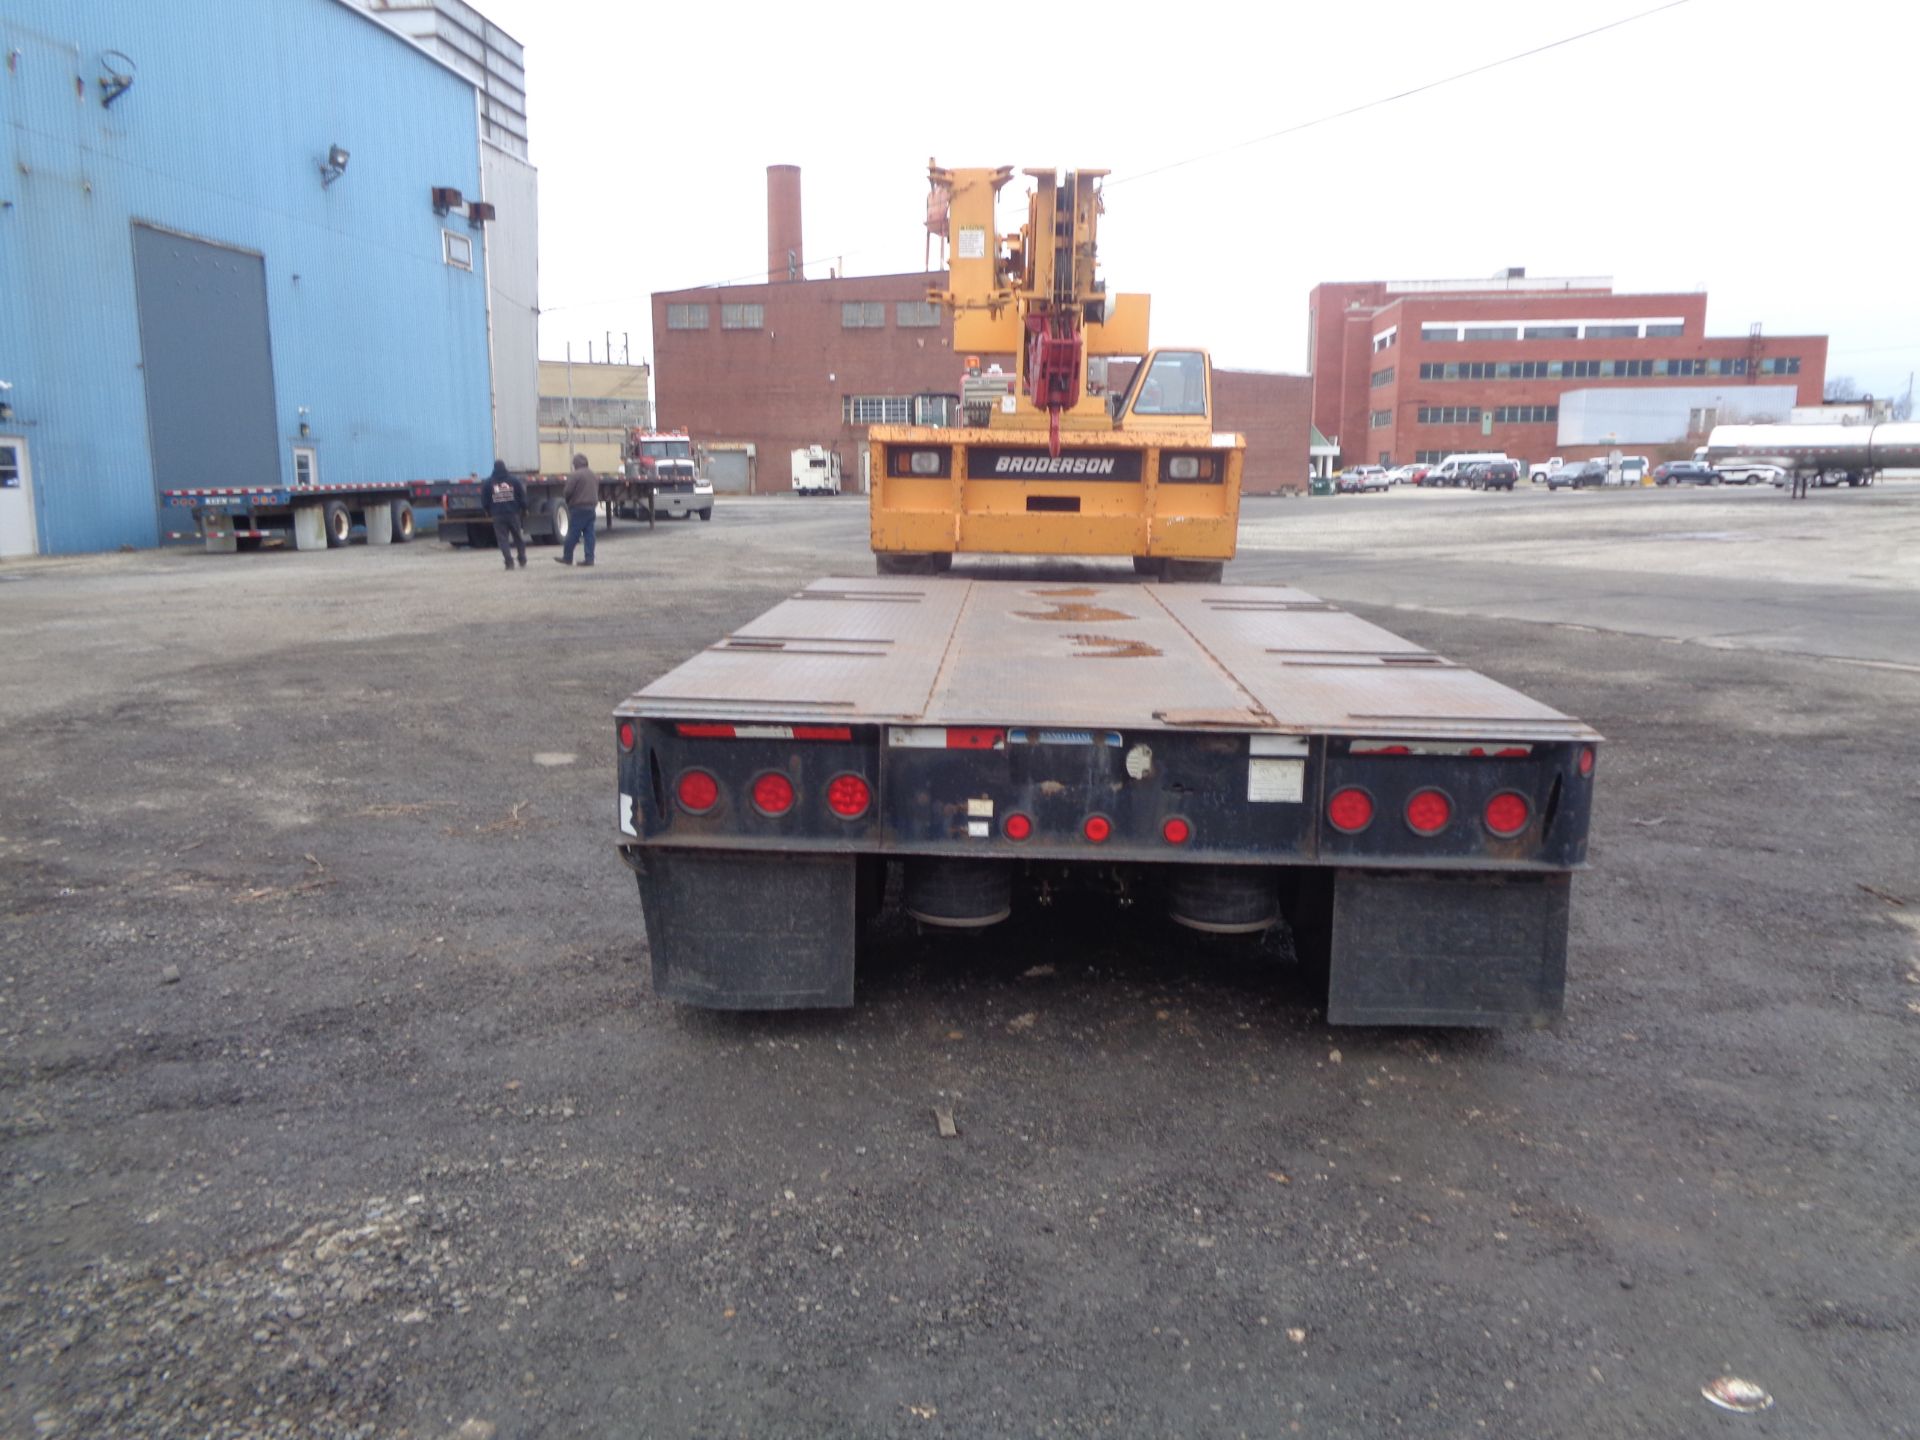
<point>734,930</point>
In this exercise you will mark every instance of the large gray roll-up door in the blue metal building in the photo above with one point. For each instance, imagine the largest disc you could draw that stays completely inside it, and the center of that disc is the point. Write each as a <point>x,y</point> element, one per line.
<point>208,362</point>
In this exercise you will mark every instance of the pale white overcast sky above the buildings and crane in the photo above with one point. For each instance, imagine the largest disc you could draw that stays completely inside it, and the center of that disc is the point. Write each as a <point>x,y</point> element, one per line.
<point>1756,149</point>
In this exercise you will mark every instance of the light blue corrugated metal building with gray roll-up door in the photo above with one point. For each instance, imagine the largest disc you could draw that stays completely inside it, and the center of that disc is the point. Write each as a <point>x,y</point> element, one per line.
<point>193,295</point>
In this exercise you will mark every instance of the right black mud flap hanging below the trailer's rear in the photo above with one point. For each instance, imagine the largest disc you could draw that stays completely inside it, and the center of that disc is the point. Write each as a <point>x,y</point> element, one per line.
<point>1449,949</point>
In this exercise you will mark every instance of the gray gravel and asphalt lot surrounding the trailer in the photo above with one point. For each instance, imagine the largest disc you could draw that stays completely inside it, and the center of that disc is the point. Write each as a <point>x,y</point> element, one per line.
<point>333,1101</point>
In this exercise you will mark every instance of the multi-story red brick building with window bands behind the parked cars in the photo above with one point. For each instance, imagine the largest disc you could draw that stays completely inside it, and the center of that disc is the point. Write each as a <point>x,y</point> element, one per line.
<point>1420,370</point>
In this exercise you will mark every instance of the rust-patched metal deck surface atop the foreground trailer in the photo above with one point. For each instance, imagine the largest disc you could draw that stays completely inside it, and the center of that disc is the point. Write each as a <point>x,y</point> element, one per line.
<point>1090,654</point>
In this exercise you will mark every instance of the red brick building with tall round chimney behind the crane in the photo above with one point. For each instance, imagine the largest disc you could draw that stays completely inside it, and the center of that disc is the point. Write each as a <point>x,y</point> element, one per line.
<point>757,372</point>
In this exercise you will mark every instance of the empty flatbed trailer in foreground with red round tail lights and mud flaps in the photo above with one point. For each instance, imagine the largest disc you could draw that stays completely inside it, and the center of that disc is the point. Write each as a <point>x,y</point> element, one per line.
<point>1243,754</point>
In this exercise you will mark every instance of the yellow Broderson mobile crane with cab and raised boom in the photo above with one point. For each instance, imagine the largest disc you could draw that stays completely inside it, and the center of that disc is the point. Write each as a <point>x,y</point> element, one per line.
<point>1049,460</point>
